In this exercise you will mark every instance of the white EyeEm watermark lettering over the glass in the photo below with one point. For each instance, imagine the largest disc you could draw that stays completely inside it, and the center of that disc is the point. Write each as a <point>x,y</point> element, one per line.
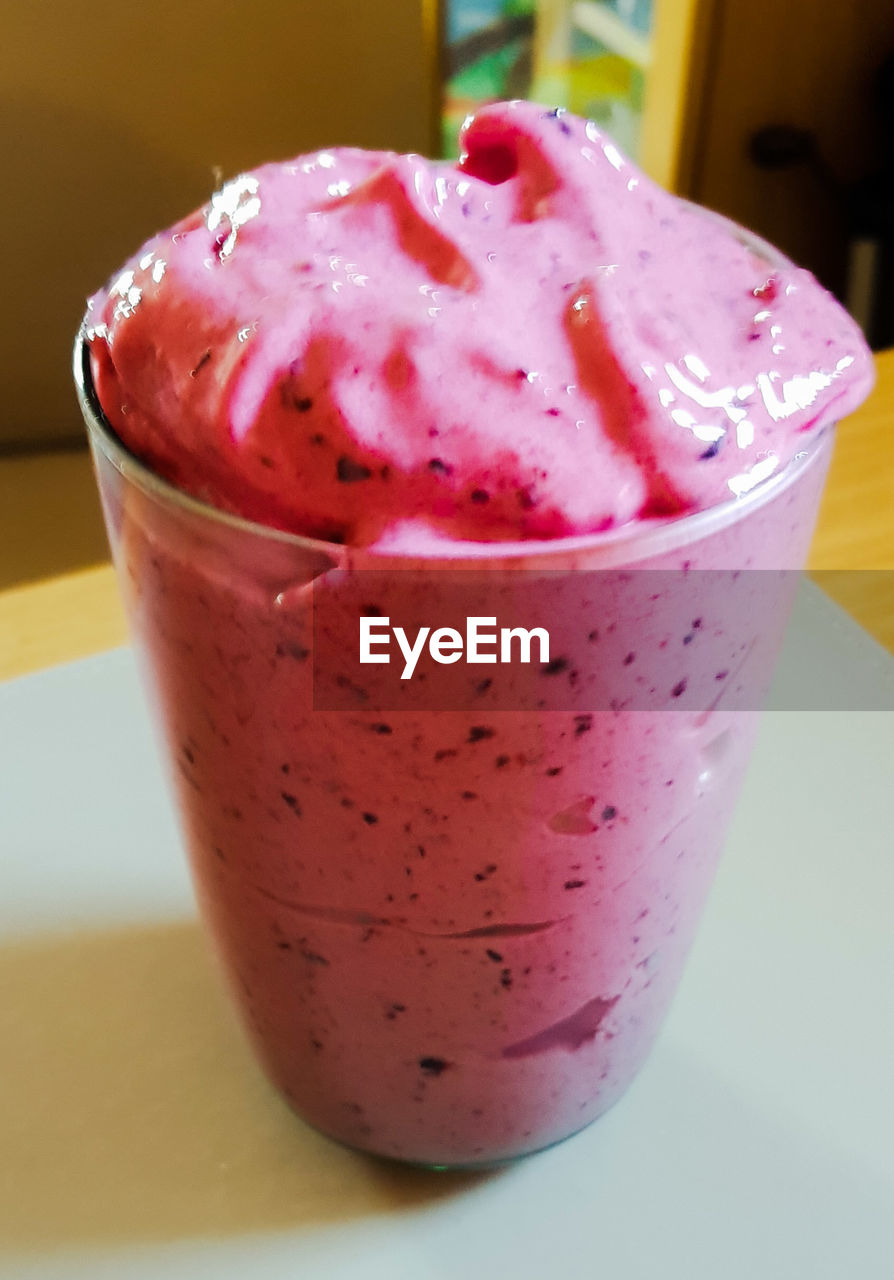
<point>449,646</point>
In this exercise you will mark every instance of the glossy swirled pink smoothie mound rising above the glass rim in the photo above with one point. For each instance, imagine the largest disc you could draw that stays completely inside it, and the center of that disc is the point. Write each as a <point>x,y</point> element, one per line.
<point>532,344</point>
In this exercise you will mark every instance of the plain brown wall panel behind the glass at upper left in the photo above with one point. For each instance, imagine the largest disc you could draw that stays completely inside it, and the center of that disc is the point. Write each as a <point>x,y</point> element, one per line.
<point>116,115</point>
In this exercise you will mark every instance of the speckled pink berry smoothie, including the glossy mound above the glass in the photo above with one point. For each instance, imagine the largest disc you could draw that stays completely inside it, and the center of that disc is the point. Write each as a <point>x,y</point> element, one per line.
<point>454,929</point>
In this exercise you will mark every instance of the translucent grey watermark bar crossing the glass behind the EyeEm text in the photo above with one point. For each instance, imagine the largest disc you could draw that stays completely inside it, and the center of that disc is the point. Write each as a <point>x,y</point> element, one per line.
<point>582,642</point>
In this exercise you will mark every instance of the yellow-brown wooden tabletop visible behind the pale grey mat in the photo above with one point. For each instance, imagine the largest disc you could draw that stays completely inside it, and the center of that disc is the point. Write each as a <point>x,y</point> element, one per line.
<point>79,614</point>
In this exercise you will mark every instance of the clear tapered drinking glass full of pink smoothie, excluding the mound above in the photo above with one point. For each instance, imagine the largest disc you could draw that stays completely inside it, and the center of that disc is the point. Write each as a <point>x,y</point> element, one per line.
<point>453,930</point>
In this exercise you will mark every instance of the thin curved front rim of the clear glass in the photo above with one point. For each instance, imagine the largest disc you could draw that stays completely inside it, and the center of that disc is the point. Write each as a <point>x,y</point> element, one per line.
<point>623,546</point>
